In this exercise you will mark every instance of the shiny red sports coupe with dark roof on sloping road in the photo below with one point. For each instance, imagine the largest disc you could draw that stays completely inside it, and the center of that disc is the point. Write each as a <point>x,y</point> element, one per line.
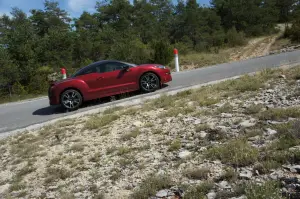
<point>107,78</point>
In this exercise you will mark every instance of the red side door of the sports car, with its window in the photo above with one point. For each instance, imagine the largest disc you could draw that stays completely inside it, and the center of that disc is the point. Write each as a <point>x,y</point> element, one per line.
<point>118,80</point>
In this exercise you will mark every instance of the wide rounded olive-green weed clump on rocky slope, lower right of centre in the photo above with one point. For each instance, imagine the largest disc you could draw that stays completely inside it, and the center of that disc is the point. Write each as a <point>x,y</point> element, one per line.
<point>236,152</point>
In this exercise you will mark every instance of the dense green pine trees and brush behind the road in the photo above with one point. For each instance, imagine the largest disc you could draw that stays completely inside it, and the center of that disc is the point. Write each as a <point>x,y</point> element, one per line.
<point>36,45</point>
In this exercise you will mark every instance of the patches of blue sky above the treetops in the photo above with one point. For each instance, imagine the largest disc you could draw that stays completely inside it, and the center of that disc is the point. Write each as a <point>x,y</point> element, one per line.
<point>74,7</point>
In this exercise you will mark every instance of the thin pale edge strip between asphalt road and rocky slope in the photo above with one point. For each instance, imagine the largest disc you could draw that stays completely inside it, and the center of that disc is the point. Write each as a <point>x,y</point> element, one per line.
<point>130,102</point>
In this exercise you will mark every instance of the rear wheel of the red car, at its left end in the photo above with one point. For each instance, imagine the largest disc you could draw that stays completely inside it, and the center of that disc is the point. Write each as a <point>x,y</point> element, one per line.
<point>71,99</point>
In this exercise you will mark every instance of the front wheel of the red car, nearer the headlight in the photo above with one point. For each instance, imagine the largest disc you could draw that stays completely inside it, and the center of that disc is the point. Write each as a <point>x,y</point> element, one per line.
<point>149,82</point>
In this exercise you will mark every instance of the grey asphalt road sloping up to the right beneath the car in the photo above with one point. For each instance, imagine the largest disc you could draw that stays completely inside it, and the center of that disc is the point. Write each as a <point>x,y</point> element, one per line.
<point>22,114</point>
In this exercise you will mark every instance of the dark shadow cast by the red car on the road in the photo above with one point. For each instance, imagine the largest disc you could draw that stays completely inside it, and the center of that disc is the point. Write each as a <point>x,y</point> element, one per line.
<point>52,110</point>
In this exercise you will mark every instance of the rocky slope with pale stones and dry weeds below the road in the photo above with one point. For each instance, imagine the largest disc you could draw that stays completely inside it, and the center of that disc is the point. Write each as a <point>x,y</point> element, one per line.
<point>238,139</point>
